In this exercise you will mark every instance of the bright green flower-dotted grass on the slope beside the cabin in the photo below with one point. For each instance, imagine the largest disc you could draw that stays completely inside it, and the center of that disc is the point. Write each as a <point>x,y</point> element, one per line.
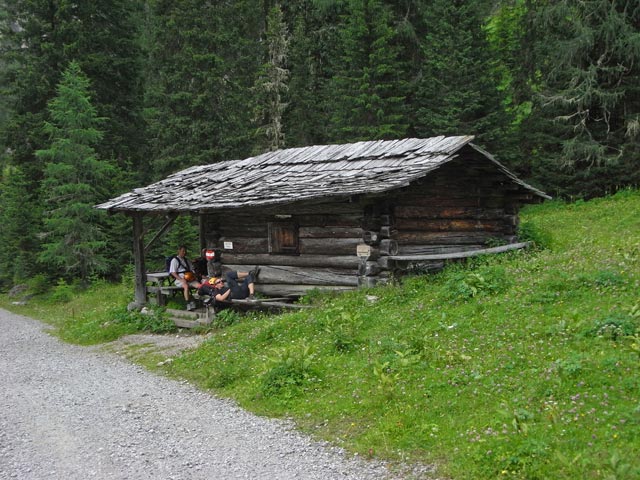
<point>523,365</point>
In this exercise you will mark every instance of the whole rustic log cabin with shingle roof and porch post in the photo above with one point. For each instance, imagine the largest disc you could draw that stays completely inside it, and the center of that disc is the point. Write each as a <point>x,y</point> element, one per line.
<point>339,216</point>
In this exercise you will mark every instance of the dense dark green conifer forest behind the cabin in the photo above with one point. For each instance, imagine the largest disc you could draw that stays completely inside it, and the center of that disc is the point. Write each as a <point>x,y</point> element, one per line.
<point>101,97</point>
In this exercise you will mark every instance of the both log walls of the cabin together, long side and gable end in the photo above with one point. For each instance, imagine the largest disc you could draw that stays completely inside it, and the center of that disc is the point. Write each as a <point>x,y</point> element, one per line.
<point>463,206</point>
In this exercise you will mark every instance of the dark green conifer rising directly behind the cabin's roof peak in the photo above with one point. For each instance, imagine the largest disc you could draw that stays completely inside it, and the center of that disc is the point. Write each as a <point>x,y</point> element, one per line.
<point>458,92</point>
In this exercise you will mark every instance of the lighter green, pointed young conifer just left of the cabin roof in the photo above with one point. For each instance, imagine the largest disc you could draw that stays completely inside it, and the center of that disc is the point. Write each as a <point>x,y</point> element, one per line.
<point>75,179</point>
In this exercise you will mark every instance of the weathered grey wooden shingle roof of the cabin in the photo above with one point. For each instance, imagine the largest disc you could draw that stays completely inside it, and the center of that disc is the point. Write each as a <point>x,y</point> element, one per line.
<point>299,174</point>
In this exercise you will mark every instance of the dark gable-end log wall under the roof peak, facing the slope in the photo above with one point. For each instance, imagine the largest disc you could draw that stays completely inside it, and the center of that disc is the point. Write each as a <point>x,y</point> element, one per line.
<point>465,205</point>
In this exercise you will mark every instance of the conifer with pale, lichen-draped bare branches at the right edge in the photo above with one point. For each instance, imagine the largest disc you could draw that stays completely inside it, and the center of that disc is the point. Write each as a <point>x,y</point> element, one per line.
<point>592,89</point>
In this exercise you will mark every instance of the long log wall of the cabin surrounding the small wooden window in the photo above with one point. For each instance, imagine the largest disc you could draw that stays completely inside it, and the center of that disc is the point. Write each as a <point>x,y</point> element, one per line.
<point>327,244</point>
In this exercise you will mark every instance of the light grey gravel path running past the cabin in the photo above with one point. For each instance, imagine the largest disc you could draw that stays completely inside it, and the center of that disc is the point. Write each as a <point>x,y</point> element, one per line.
<point>68,412</point>
